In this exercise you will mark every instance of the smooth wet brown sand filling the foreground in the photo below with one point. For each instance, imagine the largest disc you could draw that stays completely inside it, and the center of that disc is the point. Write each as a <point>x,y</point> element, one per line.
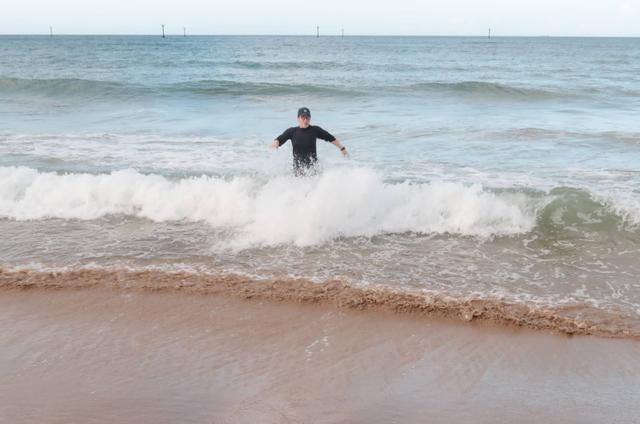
<point>111,356</point>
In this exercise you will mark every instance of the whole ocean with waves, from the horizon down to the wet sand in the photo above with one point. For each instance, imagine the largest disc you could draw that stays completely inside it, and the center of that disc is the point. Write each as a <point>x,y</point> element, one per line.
<point>498,172</point>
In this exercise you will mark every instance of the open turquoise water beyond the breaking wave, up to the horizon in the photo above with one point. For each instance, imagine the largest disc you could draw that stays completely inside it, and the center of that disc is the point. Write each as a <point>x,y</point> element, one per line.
<point>535,106</point>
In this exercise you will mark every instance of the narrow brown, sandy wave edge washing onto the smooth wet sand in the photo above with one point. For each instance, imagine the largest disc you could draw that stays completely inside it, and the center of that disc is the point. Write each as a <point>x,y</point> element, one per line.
<point>567,320</point>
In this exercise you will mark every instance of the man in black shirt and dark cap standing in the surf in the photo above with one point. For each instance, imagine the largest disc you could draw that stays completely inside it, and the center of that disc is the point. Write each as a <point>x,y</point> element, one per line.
<point>303,138</point>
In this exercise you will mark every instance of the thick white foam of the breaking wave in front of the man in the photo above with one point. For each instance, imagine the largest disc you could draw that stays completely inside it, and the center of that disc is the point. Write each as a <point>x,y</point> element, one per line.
<point>282,209</point>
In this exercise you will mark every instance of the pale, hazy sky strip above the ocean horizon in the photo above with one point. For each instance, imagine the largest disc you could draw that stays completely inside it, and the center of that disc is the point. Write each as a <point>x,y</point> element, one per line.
<point>356,17</point>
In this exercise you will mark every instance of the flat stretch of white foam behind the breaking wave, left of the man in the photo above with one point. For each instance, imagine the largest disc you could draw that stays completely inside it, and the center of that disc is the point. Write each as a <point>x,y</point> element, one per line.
<point>160,154</point>
